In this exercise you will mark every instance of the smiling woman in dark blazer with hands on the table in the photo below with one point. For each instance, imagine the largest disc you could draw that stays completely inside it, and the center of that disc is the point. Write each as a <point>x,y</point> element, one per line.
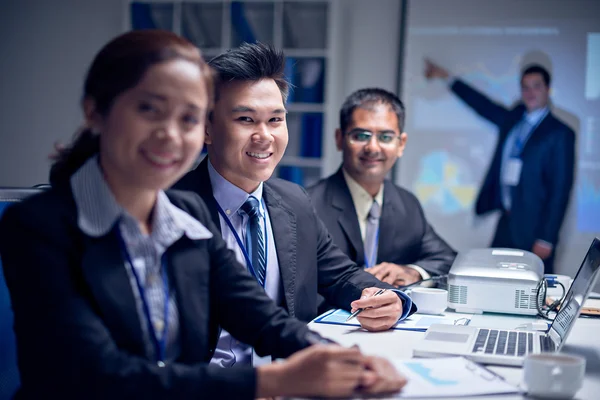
<point>119,288</point>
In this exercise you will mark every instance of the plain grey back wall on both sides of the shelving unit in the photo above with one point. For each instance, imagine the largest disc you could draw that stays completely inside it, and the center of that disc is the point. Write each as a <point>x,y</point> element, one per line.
<point>46,47</point>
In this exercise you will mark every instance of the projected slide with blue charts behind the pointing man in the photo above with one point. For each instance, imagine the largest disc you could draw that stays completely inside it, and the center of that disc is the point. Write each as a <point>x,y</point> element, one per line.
<point>487,44</point>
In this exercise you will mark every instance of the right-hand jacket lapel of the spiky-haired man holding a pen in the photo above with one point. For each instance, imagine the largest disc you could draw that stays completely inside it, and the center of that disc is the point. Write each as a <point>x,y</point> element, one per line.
<point>283,224</point>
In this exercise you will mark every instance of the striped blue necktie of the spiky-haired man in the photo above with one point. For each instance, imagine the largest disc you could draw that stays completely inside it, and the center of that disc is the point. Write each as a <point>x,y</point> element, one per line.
<point>255,241</point>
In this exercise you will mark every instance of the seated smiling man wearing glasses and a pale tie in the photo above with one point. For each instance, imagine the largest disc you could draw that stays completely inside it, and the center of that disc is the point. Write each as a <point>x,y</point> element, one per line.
<point>377,223</point>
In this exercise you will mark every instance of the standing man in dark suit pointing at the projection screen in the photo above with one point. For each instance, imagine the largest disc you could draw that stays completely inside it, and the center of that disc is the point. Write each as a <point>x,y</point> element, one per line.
<point>530,178</point>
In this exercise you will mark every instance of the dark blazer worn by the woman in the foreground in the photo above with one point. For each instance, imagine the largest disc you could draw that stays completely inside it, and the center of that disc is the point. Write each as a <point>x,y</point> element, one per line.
<point>78,331</point>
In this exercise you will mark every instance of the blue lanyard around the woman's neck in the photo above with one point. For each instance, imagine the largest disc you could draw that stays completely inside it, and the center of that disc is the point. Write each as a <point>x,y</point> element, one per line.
<point>160,345</point>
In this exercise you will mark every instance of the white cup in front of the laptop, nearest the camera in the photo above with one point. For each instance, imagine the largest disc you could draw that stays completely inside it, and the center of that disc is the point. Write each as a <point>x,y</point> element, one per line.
<point>553,375</point>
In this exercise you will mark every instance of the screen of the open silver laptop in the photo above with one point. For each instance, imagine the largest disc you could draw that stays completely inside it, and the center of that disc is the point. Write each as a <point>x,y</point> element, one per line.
<point>577,294</point>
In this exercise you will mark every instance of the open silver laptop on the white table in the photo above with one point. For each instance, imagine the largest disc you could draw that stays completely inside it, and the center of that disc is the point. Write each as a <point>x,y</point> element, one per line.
<point>509,347</point>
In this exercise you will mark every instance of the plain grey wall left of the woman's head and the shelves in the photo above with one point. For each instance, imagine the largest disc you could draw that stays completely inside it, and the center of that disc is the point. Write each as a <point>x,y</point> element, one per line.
<point>46,47</point>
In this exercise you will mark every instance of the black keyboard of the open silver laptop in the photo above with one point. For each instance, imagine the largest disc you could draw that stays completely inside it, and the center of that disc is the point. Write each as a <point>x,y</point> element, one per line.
<point>509,343</point>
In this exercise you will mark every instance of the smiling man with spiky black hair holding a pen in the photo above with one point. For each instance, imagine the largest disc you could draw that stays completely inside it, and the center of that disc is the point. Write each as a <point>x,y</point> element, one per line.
<point>269,223</point>
